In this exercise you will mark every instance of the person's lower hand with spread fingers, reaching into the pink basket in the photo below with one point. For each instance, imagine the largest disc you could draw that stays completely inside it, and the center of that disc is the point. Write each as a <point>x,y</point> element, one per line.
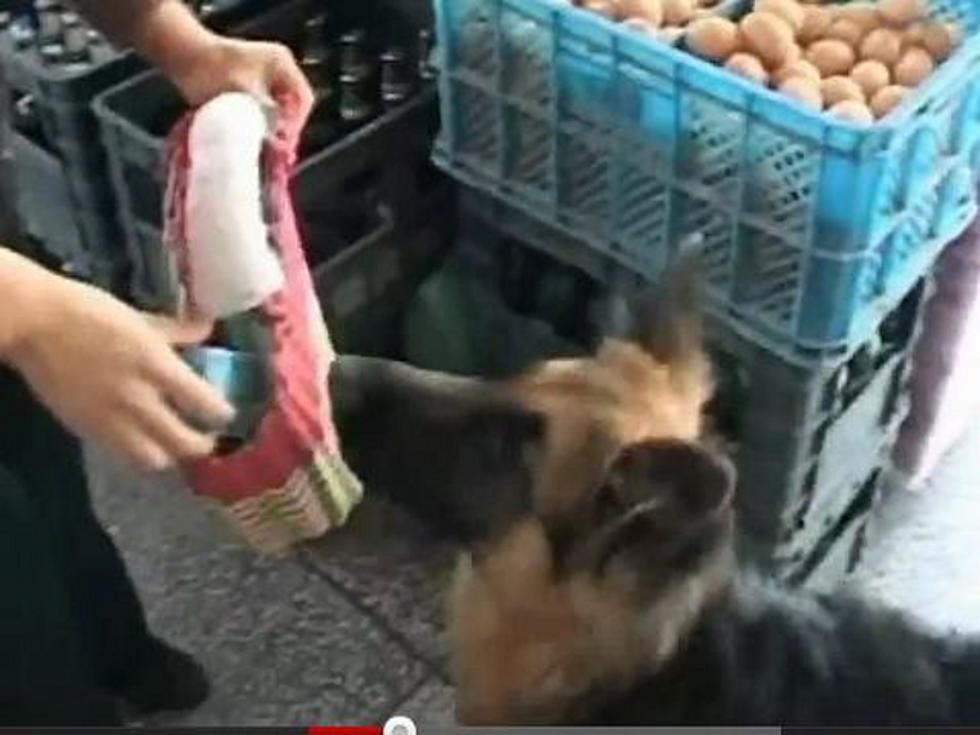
<point>109,373</point>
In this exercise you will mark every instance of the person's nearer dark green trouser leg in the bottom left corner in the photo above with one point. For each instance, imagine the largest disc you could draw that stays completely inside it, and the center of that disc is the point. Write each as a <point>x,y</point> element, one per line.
<point>46,674</point>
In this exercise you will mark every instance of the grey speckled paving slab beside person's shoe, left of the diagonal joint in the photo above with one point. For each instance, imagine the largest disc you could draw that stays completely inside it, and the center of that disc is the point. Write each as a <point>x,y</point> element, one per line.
<point>283,645</point>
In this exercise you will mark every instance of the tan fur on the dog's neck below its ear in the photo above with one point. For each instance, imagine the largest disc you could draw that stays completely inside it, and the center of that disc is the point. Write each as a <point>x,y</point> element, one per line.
<point>529,650</point>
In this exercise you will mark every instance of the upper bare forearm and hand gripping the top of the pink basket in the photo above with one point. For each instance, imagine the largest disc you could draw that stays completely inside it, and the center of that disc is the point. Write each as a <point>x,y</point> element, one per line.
<point>201,63</point>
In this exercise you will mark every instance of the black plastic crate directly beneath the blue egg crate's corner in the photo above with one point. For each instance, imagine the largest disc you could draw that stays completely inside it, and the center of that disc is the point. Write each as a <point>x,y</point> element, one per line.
<point>806,442</point>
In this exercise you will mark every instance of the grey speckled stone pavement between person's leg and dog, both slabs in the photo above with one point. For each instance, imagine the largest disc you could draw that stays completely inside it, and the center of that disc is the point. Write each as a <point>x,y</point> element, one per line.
<point>346,631</point>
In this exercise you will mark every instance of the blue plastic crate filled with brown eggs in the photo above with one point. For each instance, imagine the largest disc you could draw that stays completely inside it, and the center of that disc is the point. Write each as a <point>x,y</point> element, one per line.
<point>813,228</point>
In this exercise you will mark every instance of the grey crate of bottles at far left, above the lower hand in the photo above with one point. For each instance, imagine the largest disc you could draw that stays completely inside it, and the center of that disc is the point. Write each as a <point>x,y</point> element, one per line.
<point>64,201</point>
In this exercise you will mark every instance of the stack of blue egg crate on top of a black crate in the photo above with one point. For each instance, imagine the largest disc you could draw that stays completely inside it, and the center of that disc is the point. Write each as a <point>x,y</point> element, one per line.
<point>614,150</point>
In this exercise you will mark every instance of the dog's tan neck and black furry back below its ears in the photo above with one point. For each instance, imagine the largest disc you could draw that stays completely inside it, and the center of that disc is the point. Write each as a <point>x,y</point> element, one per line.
<point>737,651</point>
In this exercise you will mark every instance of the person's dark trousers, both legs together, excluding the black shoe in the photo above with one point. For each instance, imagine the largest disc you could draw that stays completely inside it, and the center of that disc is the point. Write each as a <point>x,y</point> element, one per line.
<point>71,626</point>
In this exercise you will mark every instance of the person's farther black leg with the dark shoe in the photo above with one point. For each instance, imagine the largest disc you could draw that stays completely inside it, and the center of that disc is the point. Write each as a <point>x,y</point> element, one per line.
<point>110,618</point>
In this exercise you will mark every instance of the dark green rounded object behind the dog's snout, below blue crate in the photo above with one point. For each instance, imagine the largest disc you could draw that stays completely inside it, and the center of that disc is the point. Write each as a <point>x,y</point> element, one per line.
<point>457,323</point>
